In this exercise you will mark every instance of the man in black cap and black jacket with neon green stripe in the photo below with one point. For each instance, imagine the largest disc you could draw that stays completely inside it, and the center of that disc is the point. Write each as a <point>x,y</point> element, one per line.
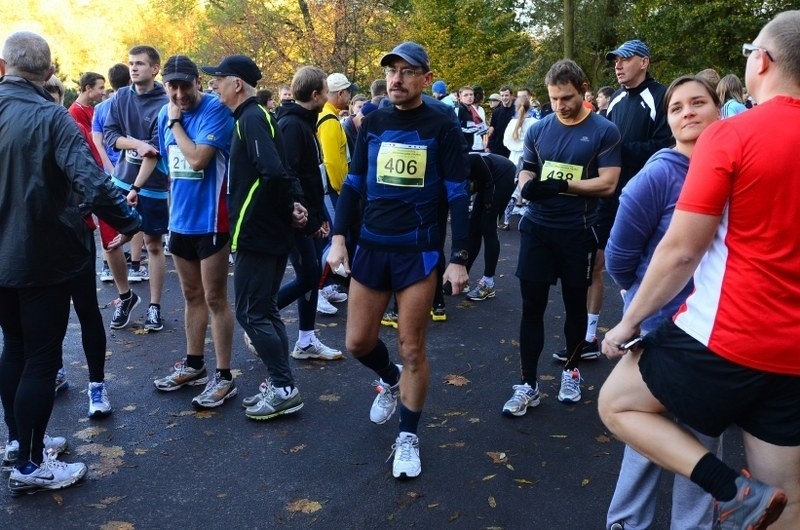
<point>264,209</point>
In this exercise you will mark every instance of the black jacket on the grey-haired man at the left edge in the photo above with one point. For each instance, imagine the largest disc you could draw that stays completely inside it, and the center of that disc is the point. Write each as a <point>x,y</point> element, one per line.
<point>48,181</point>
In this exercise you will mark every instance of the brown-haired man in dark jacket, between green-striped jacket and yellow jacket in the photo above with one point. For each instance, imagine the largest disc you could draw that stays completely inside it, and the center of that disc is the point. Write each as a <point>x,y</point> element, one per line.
<point>298,125</point>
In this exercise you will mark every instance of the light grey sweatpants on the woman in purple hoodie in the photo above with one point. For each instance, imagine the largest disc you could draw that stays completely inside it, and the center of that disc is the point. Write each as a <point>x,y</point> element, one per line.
<point>635,498</point>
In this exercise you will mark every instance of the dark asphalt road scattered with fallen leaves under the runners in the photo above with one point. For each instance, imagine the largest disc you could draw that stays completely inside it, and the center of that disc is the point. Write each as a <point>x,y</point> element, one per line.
<point>156,463</point>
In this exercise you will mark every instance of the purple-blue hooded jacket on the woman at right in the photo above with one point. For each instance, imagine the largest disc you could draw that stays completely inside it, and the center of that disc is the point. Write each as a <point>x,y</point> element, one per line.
<point>645,210</point>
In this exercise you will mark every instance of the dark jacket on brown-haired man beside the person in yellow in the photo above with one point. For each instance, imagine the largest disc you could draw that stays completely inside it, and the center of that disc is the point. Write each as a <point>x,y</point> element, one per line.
<point>303,157</point>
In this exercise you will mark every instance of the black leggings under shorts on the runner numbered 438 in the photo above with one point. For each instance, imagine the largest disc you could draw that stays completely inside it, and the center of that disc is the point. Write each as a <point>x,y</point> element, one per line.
<point>531,328</point>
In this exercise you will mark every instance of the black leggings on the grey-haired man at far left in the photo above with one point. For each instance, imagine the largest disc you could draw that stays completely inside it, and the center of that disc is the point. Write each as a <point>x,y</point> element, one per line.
<point>34,322</point>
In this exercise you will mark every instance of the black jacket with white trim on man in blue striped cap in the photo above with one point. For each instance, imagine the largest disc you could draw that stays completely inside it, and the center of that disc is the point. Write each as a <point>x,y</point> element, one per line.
<point>641,119</point>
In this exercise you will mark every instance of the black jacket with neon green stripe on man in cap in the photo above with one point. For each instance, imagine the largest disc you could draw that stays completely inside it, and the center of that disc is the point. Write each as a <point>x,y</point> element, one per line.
<point>261,192</point>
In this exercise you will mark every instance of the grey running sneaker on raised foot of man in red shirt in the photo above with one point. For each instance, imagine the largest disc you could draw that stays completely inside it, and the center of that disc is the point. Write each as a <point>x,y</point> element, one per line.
<point>755,506</point>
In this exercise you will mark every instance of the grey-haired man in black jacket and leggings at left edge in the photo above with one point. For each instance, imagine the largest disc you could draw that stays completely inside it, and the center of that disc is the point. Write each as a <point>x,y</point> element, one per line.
<point>44,197</point>
